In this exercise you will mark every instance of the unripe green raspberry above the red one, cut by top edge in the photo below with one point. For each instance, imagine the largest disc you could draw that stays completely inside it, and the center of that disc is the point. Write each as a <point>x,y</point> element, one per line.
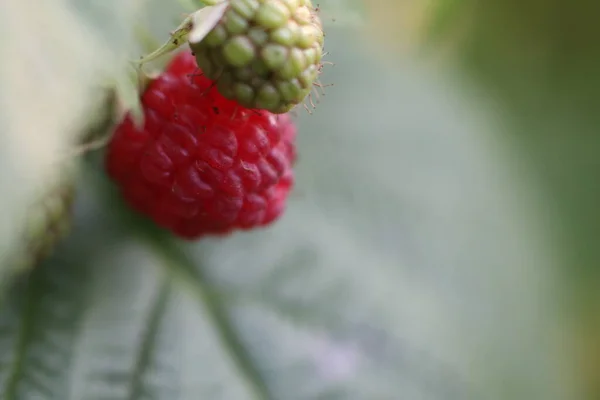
<point>264,54</point>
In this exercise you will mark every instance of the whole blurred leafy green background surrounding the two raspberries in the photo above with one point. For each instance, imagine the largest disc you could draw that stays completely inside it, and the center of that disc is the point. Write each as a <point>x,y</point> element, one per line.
<point>439,244</point>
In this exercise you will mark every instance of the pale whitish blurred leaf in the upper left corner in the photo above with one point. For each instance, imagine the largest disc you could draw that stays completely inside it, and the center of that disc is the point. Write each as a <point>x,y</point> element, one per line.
<point>56,58</point>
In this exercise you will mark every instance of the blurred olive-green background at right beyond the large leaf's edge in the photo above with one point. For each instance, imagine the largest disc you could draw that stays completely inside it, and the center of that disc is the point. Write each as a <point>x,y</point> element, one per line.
<point>536,63</point>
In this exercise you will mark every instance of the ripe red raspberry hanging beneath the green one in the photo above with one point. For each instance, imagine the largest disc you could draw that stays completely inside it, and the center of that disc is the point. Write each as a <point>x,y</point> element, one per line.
<point>202,164</point>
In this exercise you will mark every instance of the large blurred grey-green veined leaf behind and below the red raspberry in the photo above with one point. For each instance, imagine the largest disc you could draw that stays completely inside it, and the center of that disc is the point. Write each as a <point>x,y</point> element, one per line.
<point>407,266</point>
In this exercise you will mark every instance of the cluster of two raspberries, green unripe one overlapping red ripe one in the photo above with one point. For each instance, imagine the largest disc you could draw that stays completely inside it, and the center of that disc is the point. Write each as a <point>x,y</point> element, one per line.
<point>217,148</point>
